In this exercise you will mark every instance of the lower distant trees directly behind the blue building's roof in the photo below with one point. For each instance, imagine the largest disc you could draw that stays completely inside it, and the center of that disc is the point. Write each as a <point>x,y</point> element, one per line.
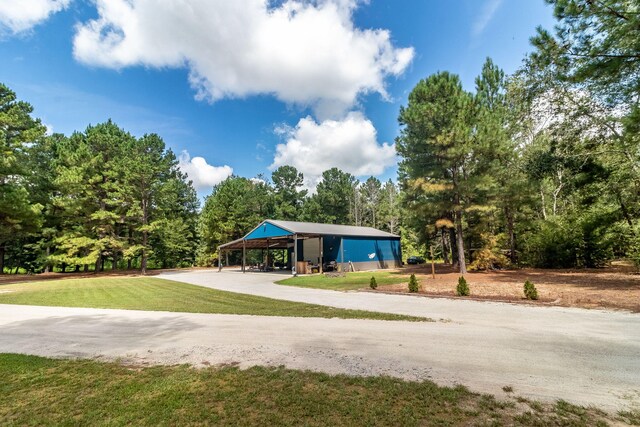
<point>238,204</point>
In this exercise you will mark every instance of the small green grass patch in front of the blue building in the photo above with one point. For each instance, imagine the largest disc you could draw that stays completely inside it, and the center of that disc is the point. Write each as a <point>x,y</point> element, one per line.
<point>349,282</point>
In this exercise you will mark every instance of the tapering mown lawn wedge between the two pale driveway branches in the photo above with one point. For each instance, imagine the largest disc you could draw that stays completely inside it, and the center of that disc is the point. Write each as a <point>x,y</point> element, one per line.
<point>145,293</point>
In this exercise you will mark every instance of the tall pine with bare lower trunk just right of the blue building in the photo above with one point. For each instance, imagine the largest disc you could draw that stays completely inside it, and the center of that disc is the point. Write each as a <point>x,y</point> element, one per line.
<point>441,166</point>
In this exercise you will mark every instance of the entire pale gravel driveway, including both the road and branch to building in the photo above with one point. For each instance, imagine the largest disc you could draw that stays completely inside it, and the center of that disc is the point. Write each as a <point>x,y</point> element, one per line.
<point>583,356</point>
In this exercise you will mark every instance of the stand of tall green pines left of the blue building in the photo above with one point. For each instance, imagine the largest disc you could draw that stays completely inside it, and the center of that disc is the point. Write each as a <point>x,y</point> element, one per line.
<point>94,200</point>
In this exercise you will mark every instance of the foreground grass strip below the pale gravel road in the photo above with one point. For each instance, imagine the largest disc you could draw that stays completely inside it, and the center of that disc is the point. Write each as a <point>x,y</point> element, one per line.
<point>40,391</point>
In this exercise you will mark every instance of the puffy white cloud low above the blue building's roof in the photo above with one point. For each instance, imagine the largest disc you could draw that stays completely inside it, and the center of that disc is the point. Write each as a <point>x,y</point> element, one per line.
<point>349,144</point>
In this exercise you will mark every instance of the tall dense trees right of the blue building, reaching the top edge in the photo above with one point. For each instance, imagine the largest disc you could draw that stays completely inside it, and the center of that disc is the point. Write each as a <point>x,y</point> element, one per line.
<point>539,168</point>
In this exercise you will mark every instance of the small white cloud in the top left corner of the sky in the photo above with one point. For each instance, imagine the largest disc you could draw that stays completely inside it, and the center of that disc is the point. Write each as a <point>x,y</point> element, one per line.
<point>22,15</point>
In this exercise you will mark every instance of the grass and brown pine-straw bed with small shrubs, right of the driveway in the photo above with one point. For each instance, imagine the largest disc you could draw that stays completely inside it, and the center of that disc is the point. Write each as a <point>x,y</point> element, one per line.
<point>614,287</point>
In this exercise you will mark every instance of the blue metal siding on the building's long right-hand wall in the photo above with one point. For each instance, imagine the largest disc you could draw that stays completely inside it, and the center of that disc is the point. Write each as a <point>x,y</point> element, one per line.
<point>367,250</point>
